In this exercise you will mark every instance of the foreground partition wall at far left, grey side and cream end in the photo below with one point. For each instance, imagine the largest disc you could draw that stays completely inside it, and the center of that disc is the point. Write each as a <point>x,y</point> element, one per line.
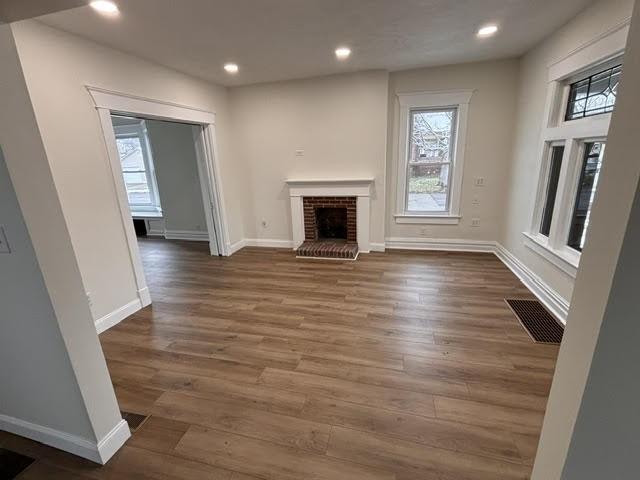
<point>58,389</point>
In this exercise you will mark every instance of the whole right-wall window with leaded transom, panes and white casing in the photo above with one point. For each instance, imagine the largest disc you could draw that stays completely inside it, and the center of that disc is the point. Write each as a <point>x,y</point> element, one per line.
<point>573,140</point>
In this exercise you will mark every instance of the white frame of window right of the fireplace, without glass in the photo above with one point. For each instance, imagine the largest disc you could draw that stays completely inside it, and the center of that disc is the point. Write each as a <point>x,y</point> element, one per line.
<point>409,102</point>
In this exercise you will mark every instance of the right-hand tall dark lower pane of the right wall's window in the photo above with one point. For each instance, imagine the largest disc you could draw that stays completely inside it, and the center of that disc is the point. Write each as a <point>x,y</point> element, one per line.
<point>589,175</point>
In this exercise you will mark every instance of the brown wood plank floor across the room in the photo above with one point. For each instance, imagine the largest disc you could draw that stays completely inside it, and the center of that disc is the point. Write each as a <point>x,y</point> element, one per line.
<point>402,365</point>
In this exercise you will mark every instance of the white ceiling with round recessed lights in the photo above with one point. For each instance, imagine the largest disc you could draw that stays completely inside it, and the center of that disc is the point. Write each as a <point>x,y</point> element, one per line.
<point>284,39</point>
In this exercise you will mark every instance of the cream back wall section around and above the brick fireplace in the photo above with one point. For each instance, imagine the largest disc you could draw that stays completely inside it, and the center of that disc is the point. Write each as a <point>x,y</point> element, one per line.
<point>338,121</point>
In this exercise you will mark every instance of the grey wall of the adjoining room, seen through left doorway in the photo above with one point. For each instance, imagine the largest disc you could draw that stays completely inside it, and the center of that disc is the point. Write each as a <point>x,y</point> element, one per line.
<point>174,157</point>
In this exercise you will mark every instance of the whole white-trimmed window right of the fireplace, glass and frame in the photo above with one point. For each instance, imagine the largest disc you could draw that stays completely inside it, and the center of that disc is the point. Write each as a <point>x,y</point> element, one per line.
<point>431,156</point>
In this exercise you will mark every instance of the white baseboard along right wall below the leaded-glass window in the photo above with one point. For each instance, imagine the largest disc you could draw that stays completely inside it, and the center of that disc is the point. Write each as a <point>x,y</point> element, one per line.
<point>556,304</point>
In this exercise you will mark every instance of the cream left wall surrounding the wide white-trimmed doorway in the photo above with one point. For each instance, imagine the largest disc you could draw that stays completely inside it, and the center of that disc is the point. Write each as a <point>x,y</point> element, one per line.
<point>57,67</point>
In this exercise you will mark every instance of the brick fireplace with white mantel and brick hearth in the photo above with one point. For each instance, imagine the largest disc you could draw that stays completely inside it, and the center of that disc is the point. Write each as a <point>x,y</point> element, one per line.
<point>330,218</point>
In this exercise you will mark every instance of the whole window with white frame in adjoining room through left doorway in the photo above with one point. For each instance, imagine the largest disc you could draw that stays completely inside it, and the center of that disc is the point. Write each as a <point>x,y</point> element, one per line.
<point>137,167</point>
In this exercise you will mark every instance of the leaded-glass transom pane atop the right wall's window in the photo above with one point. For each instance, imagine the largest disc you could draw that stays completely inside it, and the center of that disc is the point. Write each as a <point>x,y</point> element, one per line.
<point>593,95</point>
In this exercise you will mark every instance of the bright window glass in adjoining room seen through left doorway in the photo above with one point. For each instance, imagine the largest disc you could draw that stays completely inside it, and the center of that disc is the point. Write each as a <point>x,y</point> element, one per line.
<point>134,170</point>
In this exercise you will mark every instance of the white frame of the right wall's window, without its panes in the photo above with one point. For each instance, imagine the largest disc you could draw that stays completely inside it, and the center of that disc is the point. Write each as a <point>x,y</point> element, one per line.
<point>574,134</point>
